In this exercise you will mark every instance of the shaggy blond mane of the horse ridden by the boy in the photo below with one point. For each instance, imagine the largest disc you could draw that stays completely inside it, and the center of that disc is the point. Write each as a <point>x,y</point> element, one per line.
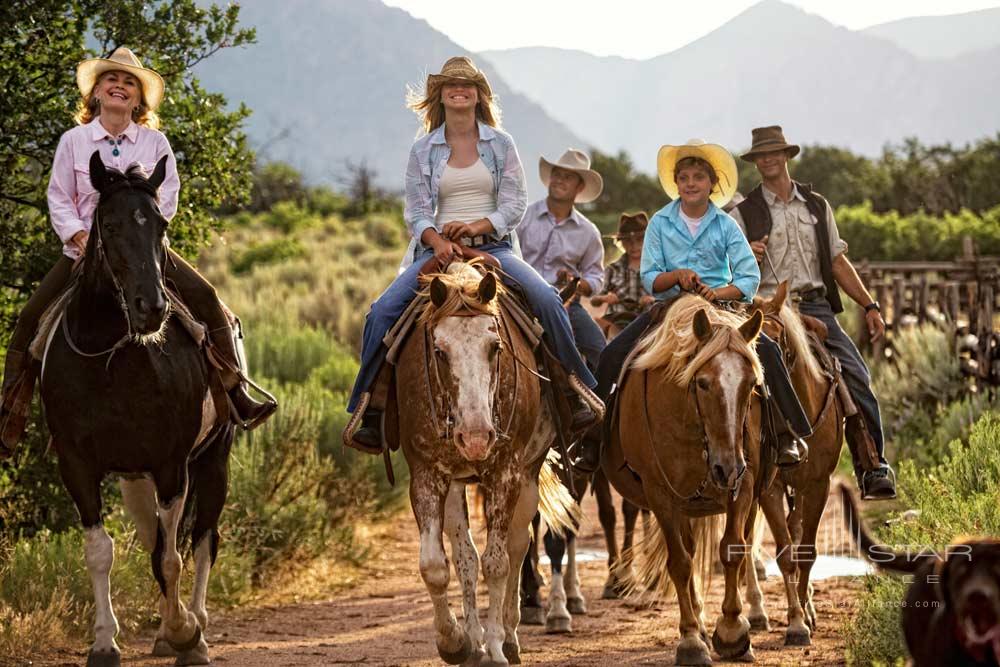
<point>674,346</point>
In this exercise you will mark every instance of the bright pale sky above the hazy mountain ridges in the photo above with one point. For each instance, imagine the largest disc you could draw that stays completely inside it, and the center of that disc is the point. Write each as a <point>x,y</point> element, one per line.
<point>634,28</point>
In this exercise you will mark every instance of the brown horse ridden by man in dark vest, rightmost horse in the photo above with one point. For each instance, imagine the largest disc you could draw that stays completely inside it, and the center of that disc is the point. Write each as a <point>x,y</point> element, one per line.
<point>795,537</point>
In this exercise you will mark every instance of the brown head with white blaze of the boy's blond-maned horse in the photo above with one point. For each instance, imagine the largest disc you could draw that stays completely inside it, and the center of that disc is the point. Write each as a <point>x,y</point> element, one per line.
<point>722,386</point>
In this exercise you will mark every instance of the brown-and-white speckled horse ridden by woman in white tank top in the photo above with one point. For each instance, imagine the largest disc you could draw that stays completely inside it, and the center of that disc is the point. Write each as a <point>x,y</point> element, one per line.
<point>473,411</point>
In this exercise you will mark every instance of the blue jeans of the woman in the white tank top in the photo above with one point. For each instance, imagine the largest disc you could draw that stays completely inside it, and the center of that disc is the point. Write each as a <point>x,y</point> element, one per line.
<point>542,297</point>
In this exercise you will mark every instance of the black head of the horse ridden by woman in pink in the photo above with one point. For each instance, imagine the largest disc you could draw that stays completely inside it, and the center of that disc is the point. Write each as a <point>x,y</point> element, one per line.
<point>127,241</point>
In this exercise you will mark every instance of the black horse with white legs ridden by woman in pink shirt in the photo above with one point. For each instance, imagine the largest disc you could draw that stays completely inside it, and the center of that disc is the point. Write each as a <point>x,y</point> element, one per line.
<point>126,390</point>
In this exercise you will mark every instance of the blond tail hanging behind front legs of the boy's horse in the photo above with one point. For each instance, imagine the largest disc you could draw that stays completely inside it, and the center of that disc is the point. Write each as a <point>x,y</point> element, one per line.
<point>651,553</point>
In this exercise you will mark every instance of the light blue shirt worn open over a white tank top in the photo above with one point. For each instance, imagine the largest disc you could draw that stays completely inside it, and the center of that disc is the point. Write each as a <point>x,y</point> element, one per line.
<point>428,158</point>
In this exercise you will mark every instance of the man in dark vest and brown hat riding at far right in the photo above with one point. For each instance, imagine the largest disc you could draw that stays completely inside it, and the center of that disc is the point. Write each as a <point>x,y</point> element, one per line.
<point>794,237</point>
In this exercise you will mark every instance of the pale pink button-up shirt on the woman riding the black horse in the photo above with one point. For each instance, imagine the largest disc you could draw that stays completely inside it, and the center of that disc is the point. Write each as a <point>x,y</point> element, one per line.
<point>72,197</point>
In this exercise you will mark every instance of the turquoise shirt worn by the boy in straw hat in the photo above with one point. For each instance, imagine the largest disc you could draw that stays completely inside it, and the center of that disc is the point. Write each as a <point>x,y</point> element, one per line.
<point>718,253</point>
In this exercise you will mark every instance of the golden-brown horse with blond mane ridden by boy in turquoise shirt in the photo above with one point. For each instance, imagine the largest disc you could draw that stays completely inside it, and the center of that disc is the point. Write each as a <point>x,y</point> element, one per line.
<point>686,444</point>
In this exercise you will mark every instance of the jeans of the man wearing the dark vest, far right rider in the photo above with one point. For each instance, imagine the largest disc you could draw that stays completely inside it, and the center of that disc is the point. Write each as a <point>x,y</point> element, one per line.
<point>853,368</point>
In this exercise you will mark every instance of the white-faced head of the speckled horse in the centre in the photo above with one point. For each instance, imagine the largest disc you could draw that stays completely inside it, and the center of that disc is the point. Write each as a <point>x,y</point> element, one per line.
<point>464,329</point>
